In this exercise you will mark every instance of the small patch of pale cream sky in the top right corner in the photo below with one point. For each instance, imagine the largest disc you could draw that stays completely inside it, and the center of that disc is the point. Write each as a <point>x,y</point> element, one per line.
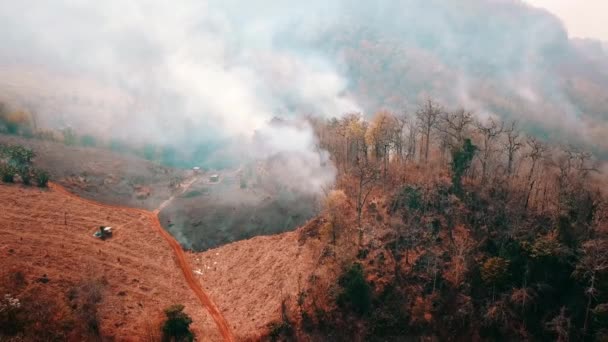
<point>583,18</point>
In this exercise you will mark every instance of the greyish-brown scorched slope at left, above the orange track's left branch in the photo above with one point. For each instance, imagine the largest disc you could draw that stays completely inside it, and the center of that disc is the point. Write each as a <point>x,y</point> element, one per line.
<point>103,175</point>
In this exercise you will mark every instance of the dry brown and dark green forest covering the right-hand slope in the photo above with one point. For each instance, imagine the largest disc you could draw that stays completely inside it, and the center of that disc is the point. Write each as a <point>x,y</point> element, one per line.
<point>456,229</point>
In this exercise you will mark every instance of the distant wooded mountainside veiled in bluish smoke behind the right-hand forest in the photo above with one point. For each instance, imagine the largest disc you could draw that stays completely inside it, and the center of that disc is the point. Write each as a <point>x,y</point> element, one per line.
<point>517,63</point>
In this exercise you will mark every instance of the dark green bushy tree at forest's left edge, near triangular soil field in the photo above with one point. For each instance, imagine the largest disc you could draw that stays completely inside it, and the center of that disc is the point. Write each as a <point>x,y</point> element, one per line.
<point>356,293</point>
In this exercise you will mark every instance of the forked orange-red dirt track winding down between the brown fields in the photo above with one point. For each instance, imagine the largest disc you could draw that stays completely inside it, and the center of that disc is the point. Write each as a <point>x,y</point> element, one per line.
<point>194,284</point>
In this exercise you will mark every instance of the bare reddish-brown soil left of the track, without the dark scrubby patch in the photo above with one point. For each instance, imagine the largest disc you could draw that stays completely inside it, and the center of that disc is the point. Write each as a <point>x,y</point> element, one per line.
<point>138,268</point>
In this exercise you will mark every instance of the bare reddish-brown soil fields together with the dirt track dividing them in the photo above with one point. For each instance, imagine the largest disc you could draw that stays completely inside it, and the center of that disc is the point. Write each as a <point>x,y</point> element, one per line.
<point>247,280</point>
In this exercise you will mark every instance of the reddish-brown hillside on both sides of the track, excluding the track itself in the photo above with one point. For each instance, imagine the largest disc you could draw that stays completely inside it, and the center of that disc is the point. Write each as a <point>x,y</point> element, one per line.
<point>133,275</point>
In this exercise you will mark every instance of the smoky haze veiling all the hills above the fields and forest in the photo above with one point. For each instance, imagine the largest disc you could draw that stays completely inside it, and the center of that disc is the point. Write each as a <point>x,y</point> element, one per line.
<point>223,69</point>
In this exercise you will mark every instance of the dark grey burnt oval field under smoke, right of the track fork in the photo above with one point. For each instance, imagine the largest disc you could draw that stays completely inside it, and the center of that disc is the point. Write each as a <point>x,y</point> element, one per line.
<point>214,213</point>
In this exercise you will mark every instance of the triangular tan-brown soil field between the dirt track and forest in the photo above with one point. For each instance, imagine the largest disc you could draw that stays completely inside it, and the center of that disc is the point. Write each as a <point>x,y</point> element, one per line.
<point>249,279</point>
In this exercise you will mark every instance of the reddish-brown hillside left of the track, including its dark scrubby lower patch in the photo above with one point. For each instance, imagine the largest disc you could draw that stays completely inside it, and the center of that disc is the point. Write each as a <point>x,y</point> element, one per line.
<point>66,278</point>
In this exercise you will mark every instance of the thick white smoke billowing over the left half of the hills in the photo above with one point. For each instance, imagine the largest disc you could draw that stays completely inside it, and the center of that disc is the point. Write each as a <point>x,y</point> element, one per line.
<point>178,73</point>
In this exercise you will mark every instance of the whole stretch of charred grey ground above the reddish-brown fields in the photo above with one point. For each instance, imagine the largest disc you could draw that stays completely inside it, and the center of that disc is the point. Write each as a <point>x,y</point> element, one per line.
<point>241,204</point>
